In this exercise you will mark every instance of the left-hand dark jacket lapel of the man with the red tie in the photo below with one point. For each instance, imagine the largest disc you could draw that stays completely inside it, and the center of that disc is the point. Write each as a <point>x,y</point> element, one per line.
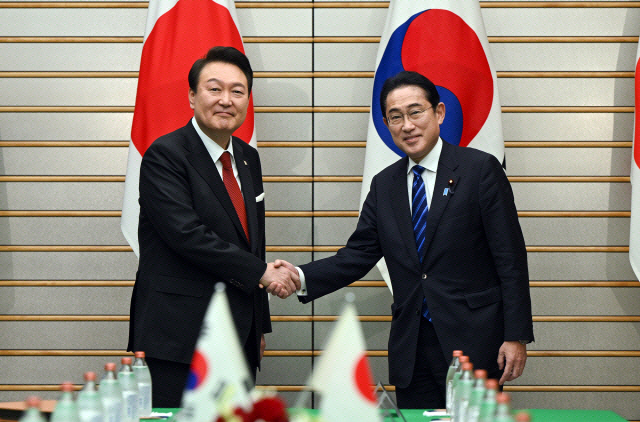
<point>201,161</point>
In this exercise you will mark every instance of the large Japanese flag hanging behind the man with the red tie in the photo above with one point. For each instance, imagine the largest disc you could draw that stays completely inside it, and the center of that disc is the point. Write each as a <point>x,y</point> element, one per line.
<point>178,32</point>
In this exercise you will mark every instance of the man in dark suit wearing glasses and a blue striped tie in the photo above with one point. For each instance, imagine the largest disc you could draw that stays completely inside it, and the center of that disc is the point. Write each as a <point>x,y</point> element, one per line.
<point>460,278</point>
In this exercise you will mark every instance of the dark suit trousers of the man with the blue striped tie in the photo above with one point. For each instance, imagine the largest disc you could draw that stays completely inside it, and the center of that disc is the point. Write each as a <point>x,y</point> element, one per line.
<point>427,388</point>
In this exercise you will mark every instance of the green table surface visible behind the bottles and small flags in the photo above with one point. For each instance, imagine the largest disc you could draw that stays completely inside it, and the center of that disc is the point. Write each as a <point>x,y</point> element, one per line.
<point>537,415</point>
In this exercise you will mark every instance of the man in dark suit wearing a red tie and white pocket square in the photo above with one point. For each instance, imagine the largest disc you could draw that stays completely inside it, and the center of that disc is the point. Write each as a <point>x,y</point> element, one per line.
<point>201,222</point>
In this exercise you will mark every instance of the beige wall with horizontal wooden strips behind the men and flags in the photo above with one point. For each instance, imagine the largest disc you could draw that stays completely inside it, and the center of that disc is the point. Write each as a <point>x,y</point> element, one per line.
<point>64,310</point>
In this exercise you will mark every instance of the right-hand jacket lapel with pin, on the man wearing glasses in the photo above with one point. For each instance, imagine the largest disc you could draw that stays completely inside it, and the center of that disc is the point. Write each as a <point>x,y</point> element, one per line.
<point>446,171</point>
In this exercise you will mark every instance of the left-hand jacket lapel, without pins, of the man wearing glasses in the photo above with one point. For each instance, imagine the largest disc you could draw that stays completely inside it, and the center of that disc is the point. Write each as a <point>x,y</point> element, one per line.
<point>402,210</point>
